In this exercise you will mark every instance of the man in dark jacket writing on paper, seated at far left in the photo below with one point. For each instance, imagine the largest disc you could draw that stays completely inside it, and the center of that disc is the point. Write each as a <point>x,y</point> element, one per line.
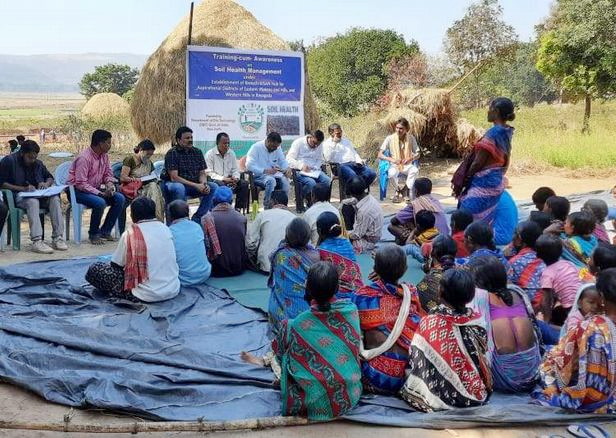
<point>24,174</point>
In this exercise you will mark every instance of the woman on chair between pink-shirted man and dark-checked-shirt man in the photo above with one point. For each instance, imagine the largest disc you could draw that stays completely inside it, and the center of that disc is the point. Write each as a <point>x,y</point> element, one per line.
<point>139,165</point>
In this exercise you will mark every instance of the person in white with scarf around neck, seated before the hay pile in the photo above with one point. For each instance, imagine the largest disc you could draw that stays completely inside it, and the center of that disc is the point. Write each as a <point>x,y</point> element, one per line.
<point>398,154</point>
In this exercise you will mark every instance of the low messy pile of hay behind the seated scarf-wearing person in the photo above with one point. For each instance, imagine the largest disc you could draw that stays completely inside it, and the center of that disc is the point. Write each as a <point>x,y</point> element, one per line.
<point>434,122</point>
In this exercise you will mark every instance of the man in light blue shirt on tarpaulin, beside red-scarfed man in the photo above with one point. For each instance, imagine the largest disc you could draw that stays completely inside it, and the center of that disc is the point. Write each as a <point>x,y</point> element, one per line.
<point>189,245</point>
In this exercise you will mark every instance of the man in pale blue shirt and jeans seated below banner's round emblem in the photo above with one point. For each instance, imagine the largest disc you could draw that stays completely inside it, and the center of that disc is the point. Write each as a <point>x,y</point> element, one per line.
<point>266,161</point>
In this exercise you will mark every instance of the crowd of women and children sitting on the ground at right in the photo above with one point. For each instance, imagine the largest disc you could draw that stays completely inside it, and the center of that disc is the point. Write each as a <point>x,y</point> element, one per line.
<point>534,317</point>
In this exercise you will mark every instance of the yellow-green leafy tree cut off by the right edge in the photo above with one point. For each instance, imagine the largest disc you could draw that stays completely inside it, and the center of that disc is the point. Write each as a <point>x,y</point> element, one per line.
<point>577,50</point>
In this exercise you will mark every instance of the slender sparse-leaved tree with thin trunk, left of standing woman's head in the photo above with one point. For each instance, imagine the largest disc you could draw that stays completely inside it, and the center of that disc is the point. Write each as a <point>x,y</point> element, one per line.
<point>480,35</point>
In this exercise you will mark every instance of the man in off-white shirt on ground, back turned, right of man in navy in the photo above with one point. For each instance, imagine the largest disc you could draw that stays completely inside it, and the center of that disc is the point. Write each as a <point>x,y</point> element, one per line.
<point>267,230</point>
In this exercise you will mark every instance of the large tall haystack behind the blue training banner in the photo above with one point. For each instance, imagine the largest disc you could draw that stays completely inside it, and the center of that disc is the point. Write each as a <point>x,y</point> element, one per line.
<point>158,106</point>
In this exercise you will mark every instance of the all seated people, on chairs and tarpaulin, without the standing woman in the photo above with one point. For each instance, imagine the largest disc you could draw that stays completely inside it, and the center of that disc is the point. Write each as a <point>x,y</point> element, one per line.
<point>536,316</point>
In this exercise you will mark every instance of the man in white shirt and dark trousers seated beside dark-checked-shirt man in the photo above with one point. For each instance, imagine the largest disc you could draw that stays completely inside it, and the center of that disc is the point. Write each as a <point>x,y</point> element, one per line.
<point>224,171</point>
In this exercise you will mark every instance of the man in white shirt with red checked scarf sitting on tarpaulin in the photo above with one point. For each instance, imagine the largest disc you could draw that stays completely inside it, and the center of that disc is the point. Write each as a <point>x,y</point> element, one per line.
<point>143,266</point>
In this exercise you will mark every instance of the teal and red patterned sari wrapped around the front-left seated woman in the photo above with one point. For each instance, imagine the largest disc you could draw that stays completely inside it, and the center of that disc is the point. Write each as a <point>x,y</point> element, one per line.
<point>319,357</point>
